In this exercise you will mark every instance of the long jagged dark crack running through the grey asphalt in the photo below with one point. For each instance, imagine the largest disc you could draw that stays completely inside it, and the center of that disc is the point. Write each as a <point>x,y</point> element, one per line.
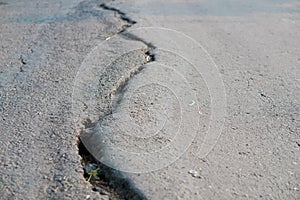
<point>109,181</point>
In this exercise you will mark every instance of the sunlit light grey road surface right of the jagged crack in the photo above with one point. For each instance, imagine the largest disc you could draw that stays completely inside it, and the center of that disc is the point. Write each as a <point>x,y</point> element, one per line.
<point>216,115</point>
